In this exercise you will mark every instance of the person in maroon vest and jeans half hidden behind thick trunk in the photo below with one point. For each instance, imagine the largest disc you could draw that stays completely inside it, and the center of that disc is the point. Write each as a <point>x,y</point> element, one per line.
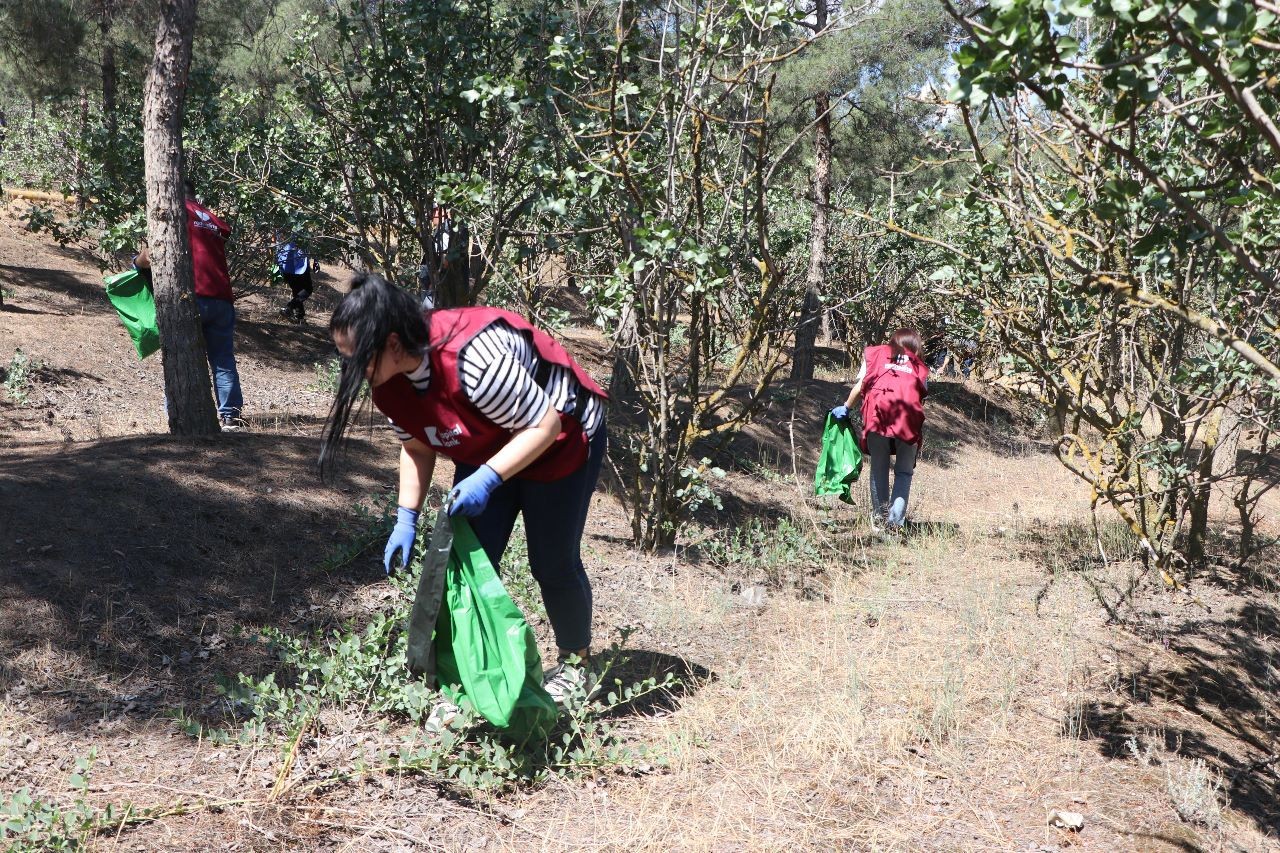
<point>214,299</point>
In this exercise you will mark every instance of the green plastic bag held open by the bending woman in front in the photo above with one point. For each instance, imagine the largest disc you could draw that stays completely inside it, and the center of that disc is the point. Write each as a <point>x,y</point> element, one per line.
<point>484,645</point>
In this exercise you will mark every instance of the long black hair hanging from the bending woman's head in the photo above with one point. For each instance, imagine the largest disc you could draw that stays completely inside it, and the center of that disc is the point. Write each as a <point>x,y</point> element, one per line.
<point>371,312</point>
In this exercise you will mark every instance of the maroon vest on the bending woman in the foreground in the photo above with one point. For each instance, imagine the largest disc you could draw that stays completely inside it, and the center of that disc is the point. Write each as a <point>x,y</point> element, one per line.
<point>446,421</point>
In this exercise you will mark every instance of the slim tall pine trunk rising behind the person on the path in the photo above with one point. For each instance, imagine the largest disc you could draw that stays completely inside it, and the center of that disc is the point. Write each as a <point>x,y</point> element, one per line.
<point>811,312</point>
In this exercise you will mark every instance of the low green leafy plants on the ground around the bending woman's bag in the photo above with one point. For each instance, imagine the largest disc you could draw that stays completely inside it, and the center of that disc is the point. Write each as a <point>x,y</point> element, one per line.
<point>360,673</point>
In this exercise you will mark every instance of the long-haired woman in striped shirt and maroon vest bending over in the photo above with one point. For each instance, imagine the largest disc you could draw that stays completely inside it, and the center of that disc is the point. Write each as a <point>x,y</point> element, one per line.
<point>522,421</point>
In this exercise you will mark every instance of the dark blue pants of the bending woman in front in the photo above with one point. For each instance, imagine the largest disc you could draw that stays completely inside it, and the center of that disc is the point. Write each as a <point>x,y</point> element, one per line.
<point>555,519</point>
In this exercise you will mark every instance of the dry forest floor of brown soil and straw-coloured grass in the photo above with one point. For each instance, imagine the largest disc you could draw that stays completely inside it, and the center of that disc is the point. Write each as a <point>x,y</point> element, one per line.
<point>838,692</point>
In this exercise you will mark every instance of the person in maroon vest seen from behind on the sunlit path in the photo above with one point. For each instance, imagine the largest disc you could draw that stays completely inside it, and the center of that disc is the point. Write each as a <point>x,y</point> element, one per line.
<point>892,385</point>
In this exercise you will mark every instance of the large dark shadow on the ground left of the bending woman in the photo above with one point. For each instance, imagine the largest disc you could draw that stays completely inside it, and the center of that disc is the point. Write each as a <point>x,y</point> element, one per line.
<point>127,567</point>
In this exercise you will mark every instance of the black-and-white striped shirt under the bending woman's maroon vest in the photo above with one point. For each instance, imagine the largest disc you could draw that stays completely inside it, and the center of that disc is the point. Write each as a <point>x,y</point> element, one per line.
<point>499,367</point>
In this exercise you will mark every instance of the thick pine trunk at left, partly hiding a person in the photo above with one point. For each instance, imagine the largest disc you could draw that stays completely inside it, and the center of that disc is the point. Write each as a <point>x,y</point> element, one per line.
<point>186,371</point>
